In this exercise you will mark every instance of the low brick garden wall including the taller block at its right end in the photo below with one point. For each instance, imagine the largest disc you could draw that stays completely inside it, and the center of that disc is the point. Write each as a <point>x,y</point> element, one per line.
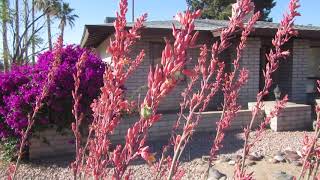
<point>293,117</point>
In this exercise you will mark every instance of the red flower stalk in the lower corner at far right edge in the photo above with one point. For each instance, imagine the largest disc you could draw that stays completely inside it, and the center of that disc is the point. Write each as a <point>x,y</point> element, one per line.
<point>311,148</point>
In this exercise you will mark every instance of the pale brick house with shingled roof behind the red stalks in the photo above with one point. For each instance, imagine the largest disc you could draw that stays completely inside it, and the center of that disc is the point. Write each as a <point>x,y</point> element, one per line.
<point>295,77</point>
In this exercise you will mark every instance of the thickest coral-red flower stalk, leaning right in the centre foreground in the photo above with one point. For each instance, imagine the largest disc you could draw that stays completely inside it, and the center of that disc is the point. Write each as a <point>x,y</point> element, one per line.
<point>161,81</point>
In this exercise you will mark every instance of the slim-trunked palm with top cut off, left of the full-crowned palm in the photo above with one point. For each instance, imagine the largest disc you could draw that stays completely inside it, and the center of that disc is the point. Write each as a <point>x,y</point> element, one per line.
<point>50,8</point>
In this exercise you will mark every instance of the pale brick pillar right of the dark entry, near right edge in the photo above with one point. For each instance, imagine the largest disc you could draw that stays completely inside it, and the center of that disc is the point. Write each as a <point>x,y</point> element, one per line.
<point>301,53</point>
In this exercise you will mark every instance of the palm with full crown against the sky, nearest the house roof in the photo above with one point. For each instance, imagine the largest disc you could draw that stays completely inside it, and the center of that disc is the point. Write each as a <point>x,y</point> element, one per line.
<point>66,16</point>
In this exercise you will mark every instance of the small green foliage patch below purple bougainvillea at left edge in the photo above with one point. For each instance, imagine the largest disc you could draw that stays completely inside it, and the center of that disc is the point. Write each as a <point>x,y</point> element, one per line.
<point>9,148</point>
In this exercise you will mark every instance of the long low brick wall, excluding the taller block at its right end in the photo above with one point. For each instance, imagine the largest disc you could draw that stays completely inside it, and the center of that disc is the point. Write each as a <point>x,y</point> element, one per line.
<point>51,143</point>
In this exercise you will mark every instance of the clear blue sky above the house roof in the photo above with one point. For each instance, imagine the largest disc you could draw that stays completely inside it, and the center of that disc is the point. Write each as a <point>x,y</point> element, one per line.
<point>94,12</point>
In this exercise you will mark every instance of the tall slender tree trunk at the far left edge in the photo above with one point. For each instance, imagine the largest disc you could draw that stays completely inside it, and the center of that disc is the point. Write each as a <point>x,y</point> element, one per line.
<point>4,20</point>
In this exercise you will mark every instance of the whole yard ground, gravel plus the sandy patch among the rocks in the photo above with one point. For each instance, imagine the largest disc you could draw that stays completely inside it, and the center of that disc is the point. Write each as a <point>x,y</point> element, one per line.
<point>56,168</point>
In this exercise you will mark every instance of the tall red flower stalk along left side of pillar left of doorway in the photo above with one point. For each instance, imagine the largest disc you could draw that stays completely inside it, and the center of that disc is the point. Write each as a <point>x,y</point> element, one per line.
<point>232,84</point>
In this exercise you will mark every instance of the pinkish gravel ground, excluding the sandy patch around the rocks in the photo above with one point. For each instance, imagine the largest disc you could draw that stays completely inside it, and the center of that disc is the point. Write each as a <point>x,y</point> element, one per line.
<point>57,168</point>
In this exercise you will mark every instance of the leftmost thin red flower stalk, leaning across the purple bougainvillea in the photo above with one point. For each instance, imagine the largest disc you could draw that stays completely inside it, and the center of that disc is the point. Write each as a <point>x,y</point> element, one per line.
<point>12,169</point>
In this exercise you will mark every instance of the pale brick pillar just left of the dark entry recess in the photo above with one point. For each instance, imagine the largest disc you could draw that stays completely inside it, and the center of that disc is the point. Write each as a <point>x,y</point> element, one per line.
<point>251,60</point>
